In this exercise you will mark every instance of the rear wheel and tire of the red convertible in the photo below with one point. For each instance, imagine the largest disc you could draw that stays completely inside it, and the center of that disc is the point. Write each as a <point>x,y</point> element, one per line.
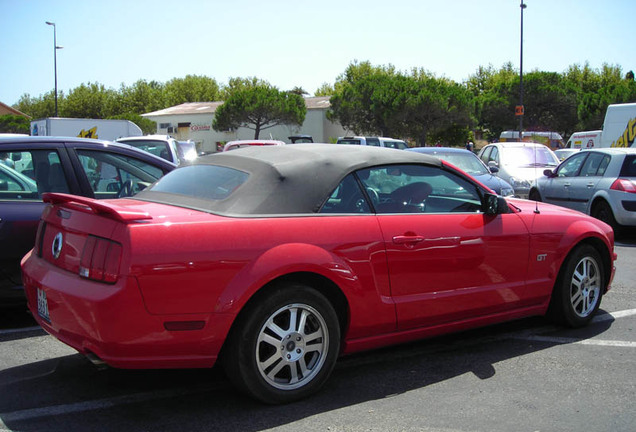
<point>285,345</point>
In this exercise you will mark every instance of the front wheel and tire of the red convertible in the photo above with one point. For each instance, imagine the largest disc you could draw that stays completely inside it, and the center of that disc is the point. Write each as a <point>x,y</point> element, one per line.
<point>579,288</point>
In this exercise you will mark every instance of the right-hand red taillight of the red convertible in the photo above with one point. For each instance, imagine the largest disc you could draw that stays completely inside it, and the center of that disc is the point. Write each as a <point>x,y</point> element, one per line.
<point>100,260</point>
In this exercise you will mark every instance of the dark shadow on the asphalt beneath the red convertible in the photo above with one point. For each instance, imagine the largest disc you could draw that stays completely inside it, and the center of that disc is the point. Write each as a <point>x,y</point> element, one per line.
<point>192,400</point>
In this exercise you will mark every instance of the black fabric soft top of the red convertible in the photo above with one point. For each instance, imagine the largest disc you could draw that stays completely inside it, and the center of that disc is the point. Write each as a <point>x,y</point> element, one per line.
<point>287,179</point>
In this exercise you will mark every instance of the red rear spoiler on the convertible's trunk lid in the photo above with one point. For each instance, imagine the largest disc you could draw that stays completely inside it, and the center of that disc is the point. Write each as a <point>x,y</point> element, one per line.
<point>99,207</point>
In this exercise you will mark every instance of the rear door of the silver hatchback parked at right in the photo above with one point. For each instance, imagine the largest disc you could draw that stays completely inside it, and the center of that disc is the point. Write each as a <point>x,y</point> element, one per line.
<point>583,185</point>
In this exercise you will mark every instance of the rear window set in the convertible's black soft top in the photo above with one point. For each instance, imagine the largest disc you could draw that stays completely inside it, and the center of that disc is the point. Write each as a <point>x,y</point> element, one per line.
<point>208,182</point>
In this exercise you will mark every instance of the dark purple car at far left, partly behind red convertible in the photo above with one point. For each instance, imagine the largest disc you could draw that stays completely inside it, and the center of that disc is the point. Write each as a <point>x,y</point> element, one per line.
<point>96,169</point>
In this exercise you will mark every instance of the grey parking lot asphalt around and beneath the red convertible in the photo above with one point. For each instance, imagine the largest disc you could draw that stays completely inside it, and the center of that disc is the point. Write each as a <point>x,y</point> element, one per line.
<point>528,375</point>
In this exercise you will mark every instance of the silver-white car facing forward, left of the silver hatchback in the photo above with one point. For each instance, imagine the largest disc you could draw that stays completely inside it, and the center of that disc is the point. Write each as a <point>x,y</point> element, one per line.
<point>519,163</point>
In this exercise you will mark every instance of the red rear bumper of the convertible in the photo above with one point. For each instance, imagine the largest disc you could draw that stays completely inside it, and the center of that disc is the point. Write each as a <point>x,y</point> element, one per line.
<point>112,323</point>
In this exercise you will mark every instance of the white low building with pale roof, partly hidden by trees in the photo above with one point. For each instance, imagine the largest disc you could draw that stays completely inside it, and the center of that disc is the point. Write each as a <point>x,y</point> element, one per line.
<point>193,121</point>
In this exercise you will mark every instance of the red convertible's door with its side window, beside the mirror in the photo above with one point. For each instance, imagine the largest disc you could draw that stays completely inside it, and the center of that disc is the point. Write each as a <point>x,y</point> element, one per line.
<point>447,260</point>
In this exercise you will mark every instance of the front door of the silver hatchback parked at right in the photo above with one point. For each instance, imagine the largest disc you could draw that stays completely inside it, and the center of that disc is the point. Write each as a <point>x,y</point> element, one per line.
<point>557,188</point>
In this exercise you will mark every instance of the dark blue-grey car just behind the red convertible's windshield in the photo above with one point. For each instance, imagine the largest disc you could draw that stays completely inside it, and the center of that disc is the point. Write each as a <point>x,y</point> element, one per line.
<point>471,164</point>
